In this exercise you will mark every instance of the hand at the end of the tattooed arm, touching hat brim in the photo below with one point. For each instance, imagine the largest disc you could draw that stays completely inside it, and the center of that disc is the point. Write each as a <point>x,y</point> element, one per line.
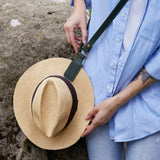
<point>101,114</point>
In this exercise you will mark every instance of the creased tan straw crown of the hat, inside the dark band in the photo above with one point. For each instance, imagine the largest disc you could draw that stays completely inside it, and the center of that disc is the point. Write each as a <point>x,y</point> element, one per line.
<point>51,106</point>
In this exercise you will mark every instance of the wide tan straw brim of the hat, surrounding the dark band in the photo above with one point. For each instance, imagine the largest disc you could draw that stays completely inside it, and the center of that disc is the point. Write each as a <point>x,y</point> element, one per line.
<point>22,104</point>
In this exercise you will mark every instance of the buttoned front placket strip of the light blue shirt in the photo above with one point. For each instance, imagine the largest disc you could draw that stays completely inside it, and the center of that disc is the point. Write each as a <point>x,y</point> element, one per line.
<point>119,25</point>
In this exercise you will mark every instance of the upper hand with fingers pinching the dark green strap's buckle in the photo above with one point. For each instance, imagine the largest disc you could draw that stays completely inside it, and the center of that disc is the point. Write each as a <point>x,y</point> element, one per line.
<point>77,20</point>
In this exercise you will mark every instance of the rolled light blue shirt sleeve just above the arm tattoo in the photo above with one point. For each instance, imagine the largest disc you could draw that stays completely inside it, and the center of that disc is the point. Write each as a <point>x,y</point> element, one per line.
<point>153,65</point>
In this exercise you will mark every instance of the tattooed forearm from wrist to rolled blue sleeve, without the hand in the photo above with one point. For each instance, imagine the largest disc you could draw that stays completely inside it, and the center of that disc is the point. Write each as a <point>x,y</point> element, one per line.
<point>142,81</point>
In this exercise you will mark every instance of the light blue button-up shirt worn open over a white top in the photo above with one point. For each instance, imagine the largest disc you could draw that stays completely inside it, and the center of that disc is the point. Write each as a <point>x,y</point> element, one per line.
<point>110,72</point>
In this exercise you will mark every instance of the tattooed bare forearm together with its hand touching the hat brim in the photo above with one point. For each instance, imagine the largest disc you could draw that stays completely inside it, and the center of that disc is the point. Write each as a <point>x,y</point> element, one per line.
<point>103,112</point>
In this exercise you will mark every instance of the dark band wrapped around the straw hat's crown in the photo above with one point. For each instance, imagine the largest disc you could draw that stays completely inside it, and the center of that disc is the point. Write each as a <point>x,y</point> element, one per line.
<point>73,93</point>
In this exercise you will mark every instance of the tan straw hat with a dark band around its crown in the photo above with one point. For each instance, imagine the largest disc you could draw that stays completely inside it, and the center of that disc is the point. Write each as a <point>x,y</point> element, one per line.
<point>49,109</point>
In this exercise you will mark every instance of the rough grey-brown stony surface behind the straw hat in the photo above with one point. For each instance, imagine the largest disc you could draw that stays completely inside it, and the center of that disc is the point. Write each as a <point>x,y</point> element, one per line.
<point>30,31</point>
